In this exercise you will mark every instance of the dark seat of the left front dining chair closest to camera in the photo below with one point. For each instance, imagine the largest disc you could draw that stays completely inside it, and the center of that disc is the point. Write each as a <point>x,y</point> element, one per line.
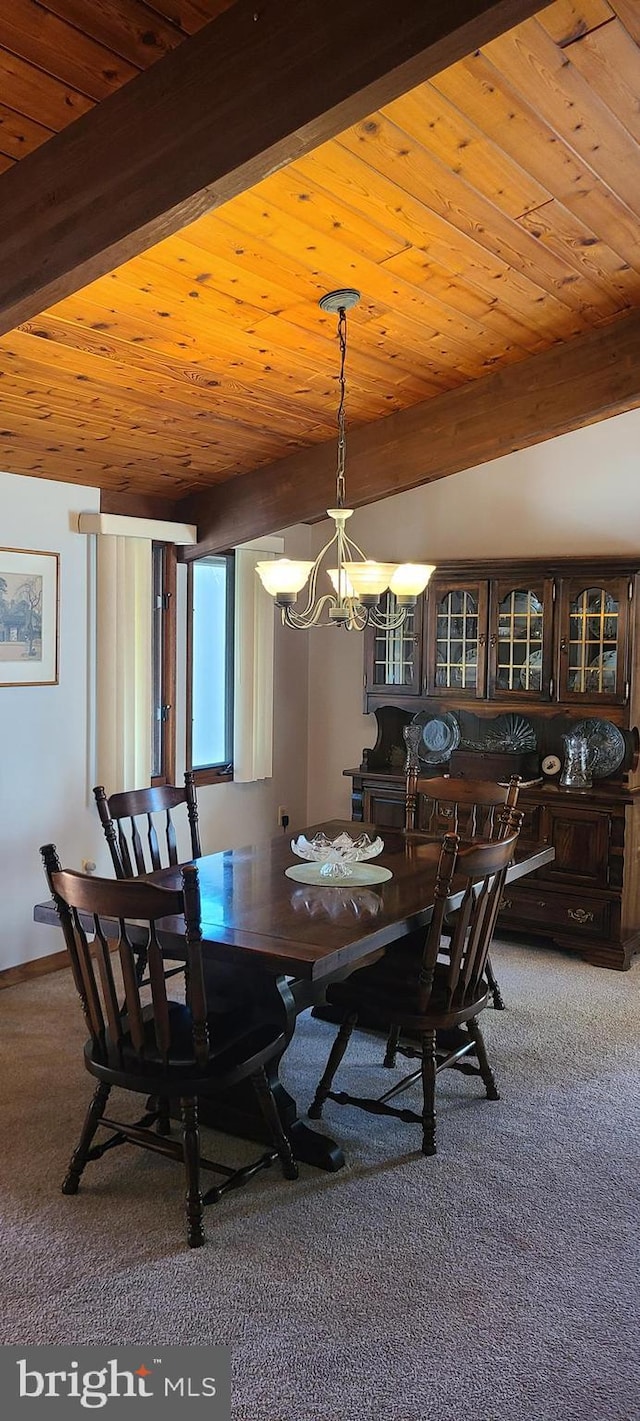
<point>235,1041</point>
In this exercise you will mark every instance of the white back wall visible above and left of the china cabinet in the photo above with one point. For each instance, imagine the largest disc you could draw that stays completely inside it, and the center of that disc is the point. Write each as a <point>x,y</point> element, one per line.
<point>580,494</point>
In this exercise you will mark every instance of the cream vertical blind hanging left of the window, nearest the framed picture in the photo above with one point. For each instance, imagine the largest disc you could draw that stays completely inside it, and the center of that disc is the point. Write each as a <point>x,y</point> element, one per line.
<point>124,671</point>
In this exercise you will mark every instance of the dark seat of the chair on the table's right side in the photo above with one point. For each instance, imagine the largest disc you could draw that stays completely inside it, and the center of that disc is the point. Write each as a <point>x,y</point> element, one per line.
<point>389,991</point>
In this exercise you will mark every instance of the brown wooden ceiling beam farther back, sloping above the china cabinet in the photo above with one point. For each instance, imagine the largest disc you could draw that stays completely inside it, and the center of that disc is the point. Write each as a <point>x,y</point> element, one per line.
<point>565,389</point>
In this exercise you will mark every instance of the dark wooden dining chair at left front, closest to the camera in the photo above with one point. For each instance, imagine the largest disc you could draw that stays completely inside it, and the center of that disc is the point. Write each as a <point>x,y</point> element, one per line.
<point>163,1049</point>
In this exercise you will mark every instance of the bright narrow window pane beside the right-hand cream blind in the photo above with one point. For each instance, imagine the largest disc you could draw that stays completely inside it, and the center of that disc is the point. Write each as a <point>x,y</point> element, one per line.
<point>210,750</point>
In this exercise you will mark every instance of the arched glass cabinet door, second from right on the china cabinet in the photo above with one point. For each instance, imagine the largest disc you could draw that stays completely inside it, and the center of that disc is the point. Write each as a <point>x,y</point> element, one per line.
<point>520,642</point>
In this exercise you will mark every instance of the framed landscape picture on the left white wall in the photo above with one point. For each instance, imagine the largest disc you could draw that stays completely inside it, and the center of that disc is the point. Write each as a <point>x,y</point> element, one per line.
<point>29,619</point>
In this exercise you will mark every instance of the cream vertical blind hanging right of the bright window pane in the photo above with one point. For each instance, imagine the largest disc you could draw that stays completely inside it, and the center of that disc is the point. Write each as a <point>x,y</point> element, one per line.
<point>254,666</point>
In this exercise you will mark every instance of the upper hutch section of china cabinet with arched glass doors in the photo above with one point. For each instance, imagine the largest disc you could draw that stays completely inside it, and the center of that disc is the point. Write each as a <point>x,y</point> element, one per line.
<point>513,633</point>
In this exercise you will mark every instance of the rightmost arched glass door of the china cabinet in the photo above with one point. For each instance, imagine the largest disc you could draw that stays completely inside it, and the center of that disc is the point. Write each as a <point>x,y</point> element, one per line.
<point>594,642</point>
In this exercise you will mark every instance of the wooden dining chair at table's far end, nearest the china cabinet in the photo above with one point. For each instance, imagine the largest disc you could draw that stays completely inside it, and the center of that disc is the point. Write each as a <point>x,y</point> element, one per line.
<point>473,809</point>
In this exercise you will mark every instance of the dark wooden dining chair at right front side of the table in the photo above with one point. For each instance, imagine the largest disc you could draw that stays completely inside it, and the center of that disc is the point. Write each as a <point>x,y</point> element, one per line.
<point>423,994</point>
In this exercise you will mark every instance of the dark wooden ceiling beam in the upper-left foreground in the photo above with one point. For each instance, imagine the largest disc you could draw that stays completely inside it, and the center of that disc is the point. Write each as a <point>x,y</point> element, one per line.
<point>262,85</point>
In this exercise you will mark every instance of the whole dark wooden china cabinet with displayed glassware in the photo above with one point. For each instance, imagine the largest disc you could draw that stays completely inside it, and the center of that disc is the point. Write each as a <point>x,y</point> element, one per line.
<point>516,657</point>
